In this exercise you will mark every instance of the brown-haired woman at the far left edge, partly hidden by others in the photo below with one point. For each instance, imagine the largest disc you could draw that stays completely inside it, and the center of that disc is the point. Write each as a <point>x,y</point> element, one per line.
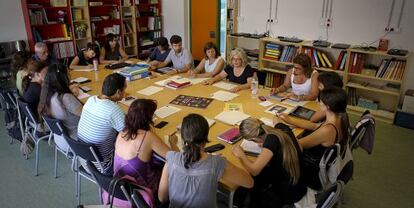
<point>20,66</point>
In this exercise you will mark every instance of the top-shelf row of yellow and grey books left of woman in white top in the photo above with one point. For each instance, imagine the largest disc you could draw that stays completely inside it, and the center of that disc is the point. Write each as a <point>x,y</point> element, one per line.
<point>280,53</point>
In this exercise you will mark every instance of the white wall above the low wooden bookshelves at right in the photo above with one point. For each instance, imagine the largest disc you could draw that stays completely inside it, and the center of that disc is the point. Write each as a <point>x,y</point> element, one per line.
<point>353,21</point>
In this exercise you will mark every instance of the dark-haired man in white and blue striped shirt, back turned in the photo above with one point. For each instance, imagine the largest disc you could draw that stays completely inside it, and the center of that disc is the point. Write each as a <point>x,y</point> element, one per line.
<point>102,119</point>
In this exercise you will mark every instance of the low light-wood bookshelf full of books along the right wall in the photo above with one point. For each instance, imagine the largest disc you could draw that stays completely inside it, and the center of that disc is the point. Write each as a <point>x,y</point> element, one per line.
<point>368,75</point>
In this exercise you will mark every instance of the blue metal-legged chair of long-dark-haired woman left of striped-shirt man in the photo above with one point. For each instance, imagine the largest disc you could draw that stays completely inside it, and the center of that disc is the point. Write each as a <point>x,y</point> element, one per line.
<point>56,132</point>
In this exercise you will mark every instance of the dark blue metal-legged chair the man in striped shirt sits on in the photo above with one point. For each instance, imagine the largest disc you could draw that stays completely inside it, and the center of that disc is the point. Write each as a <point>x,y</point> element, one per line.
<point>82,152</point>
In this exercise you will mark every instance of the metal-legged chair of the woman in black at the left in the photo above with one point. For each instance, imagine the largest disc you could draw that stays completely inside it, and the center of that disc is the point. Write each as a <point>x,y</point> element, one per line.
<point>30,126</point>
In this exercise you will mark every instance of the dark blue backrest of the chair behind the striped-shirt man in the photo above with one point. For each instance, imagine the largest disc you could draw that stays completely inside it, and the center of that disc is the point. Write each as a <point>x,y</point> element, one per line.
<point>85,151</point>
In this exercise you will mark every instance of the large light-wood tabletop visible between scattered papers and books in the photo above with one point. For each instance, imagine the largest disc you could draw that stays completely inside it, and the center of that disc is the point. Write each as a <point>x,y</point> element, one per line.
<point>250,106</point>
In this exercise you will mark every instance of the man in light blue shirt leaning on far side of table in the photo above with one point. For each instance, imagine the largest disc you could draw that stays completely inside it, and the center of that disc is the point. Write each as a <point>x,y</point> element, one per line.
<point>180,57</point>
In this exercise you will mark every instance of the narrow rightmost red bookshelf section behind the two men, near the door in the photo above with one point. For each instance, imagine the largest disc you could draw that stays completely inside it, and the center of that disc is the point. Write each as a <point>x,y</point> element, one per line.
<point>148,23</point>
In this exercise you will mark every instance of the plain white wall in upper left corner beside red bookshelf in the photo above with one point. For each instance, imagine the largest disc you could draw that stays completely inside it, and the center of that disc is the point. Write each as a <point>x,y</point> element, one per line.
<point>11,21</point>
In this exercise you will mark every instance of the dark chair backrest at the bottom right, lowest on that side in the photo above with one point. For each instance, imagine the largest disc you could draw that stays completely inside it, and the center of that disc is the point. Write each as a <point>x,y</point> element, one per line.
<point>331,196</point>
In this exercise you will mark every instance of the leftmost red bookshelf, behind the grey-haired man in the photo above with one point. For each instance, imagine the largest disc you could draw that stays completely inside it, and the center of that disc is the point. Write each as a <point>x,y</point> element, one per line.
<point>49,21</point>
